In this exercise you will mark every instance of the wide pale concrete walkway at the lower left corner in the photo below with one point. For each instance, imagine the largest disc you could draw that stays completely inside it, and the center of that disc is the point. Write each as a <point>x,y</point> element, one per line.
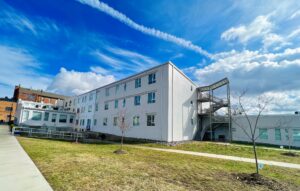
<point>17,171</point>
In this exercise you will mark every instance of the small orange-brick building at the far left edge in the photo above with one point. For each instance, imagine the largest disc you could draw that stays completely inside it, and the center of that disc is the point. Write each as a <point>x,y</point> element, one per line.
<point>7,110</point>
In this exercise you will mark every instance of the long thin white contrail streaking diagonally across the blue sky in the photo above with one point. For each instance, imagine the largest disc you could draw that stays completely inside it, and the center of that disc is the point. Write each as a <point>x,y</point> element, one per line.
<point>146,30</point>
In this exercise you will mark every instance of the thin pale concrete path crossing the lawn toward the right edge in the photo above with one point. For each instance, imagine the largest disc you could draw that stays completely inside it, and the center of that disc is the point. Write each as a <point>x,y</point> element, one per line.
<point>225,157</point>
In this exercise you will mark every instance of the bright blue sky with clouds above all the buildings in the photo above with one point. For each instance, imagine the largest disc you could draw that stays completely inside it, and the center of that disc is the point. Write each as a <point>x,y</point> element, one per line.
<point>71,46</point>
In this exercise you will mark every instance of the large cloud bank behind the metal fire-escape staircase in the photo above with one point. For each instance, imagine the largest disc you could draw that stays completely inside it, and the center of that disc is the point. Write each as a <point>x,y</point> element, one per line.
<point>272,74</point>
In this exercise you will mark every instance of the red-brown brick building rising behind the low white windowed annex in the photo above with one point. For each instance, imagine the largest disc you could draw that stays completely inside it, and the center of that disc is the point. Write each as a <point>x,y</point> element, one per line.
<point>27,94</point>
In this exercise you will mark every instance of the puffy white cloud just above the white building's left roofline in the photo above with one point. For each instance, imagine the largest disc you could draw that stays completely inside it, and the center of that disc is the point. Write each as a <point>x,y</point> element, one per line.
<point>73,82</point>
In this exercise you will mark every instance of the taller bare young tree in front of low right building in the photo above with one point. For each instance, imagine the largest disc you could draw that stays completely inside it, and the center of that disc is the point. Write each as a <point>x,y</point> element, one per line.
<point>240,109</point>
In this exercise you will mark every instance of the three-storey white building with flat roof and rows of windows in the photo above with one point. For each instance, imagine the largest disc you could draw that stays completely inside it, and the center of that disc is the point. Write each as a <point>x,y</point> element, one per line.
<point>160,104</point>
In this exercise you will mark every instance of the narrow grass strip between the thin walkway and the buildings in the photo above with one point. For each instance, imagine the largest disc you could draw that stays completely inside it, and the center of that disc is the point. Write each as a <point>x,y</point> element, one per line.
<point>231,149</point>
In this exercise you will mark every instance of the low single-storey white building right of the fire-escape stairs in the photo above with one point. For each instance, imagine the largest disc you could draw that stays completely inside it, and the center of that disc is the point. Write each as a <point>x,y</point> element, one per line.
<point>271,129</point>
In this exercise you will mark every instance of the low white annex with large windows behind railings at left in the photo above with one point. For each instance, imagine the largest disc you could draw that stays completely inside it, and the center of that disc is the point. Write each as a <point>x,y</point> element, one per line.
<point>36,114</point>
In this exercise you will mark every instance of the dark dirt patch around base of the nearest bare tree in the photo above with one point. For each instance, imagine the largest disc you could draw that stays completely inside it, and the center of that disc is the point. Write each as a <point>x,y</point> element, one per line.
<point>257,179</point>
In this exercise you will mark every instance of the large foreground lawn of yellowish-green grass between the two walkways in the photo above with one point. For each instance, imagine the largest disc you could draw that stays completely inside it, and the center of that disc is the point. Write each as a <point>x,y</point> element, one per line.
<point>69,166</point>
